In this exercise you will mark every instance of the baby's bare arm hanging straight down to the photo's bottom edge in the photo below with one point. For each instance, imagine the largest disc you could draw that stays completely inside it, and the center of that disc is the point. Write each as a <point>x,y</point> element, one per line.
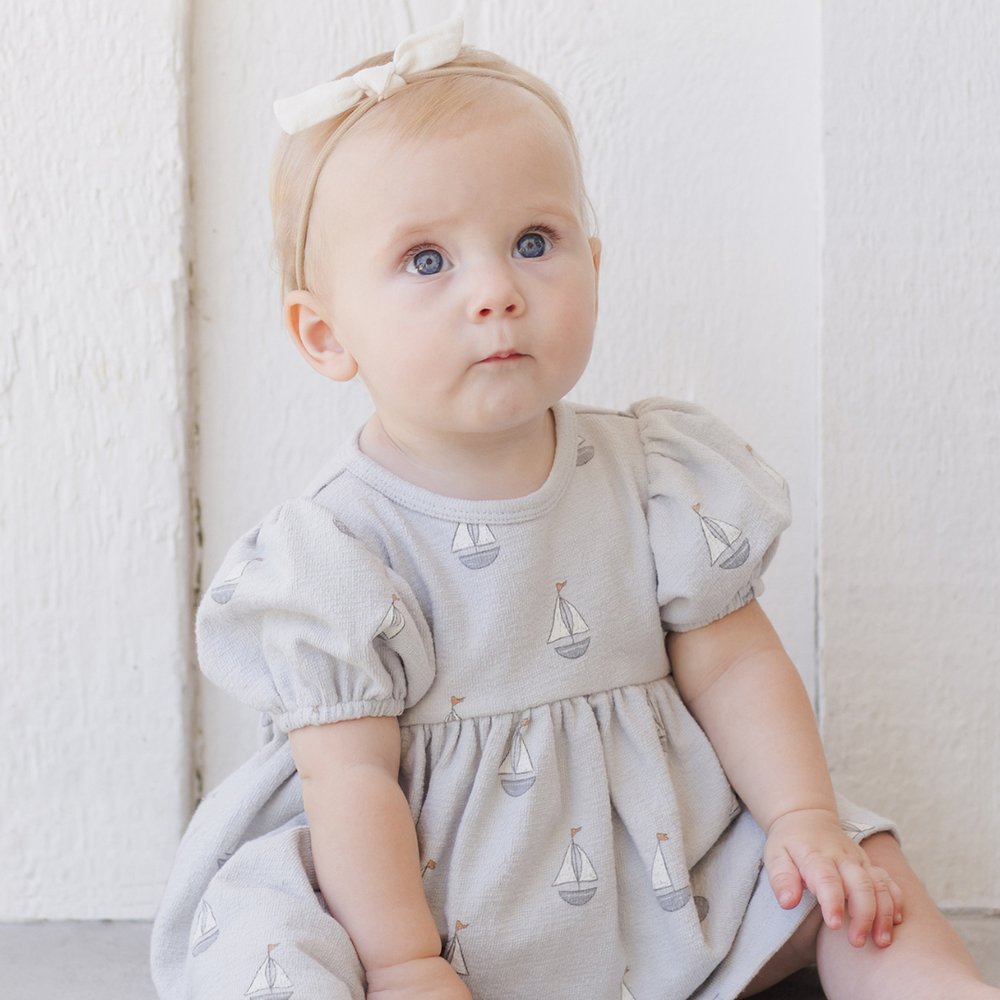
<point>365,850</point>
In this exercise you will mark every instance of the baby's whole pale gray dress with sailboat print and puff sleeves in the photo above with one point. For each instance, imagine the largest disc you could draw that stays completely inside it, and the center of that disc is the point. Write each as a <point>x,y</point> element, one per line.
<point>578,836</point>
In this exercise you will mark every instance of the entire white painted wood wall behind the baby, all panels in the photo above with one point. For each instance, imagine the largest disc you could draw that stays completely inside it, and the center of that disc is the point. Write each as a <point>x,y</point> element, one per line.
<point>702,124</point>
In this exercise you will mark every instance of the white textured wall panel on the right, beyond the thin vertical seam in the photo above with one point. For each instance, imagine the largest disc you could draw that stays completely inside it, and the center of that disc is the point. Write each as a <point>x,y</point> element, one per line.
<point>911,428</point>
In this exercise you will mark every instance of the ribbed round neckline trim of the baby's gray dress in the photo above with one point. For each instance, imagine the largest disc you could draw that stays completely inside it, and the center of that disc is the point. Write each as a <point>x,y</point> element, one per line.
<point>508,511</point>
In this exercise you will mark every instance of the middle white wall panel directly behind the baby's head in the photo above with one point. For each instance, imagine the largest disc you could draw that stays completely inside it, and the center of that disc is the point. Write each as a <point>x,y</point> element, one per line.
<point>699,123</point>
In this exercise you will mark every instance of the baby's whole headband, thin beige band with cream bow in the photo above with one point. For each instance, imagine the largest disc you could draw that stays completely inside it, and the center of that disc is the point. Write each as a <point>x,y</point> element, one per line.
<point>421,56</point>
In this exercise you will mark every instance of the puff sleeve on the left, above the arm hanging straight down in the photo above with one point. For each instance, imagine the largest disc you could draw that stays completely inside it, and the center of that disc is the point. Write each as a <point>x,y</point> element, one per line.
<point>307,624</point>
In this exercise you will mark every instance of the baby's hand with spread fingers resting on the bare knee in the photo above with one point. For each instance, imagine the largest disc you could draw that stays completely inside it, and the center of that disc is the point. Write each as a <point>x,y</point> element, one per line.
<point>808,846</point>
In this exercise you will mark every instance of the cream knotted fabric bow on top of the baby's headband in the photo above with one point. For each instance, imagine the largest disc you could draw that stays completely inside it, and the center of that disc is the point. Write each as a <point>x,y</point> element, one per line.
<point>424,50</point>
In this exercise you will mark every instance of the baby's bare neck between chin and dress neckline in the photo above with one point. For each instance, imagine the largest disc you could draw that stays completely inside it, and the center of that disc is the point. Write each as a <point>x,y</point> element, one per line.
<point>482,467</point>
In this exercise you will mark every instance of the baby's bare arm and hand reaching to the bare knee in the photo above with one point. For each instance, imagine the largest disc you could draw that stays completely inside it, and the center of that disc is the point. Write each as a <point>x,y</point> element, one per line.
<point>746,694</point>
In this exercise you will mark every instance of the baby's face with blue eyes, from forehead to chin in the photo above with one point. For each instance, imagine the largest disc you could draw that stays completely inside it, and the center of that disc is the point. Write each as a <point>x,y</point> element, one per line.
<point>455,271</point>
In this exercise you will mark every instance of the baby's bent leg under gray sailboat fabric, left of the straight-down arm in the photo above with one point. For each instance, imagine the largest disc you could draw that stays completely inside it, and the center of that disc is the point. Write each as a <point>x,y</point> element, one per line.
<point>266,932</point>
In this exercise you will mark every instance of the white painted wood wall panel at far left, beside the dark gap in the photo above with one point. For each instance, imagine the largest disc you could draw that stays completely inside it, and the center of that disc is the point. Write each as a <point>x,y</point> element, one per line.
<point>93,504</point>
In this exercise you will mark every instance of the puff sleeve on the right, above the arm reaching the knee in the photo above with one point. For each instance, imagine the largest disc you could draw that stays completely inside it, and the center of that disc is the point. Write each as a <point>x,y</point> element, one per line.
<point>715,510</point>
